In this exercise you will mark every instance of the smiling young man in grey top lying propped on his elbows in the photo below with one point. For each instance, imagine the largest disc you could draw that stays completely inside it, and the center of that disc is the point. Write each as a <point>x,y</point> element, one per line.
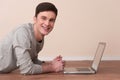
<point>19,49</point>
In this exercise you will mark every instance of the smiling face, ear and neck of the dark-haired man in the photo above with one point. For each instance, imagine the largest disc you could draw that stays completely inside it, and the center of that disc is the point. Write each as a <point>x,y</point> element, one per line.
<point>43,24</point>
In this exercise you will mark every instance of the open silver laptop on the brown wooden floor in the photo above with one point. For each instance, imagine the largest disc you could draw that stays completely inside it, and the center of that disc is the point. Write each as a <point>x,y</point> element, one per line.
<point>94,67</point>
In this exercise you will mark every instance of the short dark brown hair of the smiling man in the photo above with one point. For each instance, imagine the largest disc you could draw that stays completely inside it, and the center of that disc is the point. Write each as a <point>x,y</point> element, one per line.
<point>45,6</point>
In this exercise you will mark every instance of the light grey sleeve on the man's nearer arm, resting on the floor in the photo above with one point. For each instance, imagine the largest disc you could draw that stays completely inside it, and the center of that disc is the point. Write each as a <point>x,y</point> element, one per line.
<point>21,44</point>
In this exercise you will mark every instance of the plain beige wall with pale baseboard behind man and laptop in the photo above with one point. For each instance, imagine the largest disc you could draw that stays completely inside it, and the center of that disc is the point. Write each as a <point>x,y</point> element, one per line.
<point>80,25</point>
